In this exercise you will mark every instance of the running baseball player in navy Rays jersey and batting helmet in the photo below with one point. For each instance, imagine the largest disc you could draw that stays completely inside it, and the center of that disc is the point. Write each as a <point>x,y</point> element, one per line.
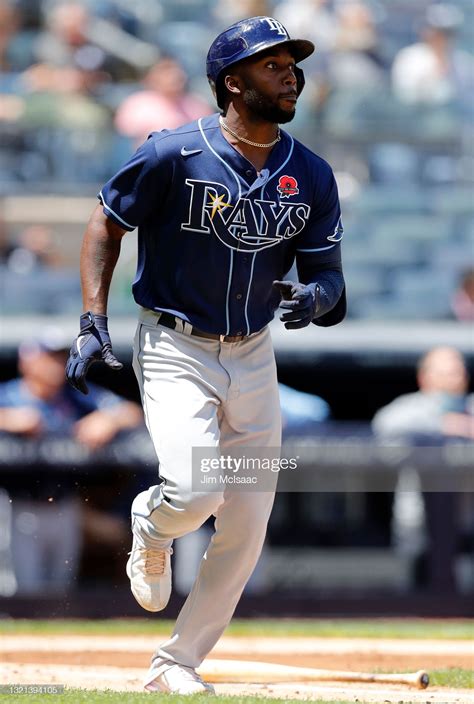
<point>223,206</point>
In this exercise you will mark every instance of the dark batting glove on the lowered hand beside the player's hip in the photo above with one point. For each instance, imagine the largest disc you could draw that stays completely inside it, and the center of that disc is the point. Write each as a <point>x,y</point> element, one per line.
<point>91,345</point>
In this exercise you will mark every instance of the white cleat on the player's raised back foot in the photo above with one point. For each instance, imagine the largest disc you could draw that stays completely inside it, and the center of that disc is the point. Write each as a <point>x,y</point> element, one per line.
<point>149,571</point>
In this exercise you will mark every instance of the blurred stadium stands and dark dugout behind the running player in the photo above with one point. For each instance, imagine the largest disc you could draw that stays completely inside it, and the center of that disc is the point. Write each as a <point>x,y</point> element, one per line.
<point>81,83</point>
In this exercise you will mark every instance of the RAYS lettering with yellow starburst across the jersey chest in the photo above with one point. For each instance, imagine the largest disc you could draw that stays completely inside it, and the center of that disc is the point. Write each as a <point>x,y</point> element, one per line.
<point>247,225</point>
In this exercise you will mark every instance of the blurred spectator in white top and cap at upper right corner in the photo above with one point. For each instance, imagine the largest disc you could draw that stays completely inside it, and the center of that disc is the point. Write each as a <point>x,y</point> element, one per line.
<point>434,71</point>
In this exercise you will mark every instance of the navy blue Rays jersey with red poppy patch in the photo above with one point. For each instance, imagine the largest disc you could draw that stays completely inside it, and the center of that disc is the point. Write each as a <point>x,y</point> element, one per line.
<point>212,233</point>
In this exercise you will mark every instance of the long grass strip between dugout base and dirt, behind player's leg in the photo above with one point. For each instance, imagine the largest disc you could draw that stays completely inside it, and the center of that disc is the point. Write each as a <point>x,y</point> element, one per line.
<point>285,628</point>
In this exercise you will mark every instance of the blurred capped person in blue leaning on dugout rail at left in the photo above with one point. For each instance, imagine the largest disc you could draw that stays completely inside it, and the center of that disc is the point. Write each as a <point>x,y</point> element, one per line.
<point>47,516</point>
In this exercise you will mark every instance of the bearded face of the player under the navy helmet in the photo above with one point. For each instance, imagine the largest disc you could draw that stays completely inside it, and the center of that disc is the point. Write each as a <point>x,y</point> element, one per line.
<point>269,85</point>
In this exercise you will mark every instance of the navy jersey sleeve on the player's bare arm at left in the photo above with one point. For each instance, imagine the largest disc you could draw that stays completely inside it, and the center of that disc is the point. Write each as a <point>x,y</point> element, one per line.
<point>129,196</point>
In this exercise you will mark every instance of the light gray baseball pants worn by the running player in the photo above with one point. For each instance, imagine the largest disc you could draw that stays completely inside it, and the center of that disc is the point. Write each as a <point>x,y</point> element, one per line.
<point>203,393</point>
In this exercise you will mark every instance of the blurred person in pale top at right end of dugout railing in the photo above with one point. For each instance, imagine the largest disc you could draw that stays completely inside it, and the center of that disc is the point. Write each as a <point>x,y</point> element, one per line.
<point>442,404</point>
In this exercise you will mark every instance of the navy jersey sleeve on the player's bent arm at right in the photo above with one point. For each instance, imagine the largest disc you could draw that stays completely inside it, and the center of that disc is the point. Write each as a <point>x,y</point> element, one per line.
<point>319,243</point>
